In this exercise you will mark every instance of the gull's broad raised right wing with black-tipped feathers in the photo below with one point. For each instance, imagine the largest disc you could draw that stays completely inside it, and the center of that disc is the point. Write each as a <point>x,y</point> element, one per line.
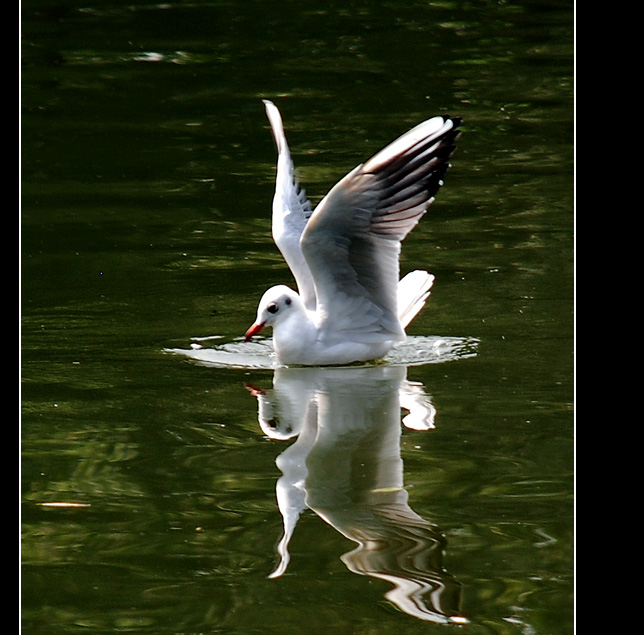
<point>352,241</point>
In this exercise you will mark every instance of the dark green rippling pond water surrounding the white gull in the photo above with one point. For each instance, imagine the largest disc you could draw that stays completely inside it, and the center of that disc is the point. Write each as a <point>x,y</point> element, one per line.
<point>147,174</point>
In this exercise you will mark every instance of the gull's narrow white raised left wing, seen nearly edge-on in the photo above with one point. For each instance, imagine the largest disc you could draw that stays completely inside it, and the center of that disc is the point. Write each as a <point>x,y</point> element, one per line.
<point>291,211</point>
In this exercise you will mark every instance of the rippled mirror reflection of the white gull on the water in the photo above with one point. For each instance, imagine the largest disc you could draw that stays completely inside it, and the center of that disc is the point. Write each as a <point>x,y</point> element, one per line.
<point>345,465</point>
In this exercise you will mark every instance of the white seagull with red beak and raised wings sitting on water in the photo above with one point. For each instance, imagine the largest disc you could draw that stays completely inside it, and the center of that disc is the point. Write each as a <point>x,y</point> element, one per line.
<point>344,253</point>
